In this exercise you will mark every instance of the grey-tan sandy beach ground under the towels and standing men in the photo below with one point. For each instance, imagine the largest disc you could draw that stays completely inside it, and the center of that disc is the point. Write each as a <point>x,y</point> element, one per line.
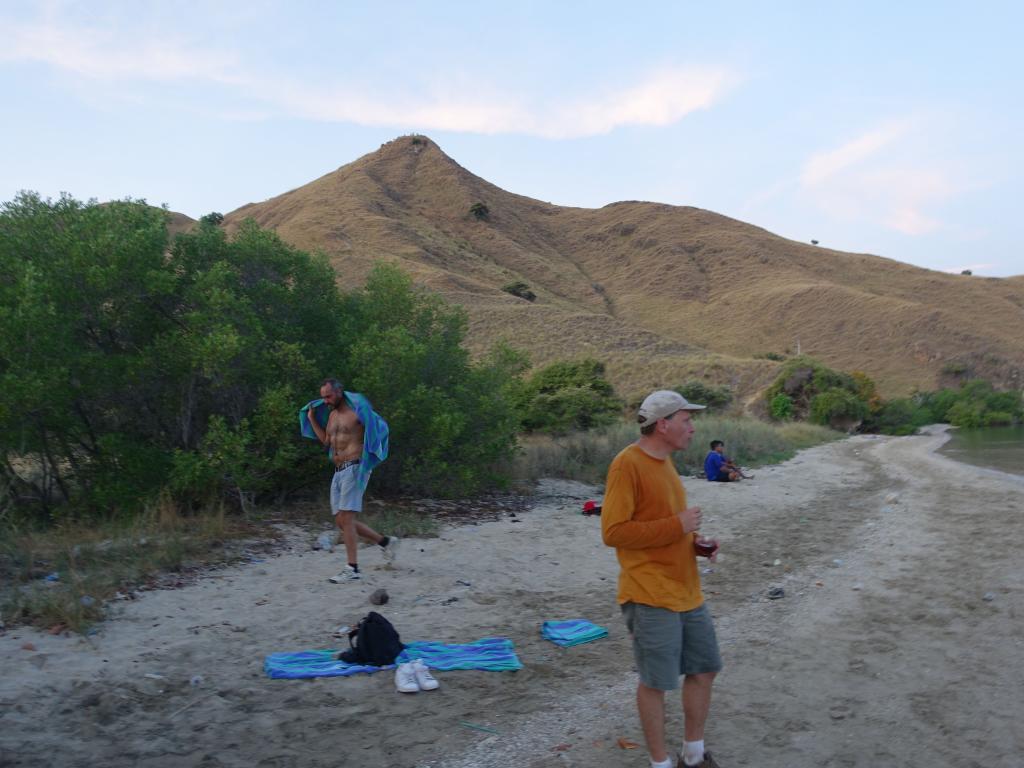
<point>899,642</point>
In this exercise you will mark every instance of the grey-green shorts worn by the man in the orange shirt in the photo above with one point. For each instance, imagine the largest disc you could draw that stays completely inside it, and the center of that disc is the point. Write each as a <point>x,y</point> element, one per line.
<point>668,644</point>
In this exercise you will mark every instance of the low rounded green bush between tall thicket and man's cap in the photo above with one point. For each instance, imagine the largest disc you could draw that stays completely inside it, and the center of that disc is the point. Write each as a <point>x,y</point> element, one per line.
<point>567,396</point>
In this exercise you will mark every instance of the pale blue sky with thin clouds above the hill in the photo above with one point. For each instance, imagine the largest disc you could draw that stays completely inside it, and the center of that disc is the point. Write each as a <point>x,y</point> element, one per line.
<point>895,130</point>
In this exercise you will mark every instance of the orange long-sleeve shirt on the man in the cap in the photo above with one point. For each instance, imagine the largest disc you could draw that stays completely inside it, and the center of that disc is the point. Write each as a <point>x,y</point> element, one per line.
<point>639,519</point>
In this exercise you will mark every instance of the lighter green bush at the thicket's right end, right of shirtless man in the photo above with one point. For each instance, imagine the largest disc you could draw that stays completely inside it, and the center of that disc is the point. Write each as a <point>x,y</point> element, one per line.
<point>452,421</point>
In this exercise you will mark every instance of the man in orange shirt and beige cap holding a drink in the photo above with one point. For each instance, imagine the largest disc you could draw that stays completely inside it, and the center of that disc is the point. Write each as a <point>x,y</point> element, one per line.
<point>647,520</point>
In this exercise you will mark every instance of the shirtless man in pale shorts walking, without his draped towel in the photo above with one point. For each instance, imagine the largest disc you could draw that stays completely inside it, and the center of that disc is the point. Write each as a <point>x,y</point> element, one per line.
<point>345,437</point>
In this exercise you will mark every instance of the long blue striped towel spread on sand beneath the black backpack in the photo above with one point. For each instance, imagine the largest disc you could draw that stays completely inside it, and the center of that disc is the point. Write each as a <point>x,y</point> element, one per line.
<point>492,654</point>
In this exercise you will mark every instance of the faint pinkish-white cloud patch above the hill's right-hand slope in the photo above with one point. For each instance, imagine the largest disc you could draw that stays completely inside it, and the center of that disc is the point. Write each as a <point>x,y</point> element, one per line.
<point>881,179</point>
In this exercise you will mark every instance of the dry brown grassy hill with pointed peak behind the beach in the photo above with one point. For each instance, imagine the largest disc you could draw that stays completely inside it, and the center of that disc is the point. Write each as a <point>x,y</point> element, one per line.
<point>662,293</point>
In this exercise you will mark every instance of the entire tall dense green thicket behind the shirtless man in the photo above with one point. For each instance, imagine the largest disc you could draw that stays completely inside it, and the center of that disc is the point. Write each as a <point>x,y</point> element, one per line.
<point>130,364</point>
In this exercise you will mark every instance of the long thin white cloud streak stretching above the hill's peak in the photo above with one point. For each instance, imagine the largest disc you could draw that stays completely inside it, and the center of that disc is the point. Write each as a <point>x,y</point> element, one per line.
<point>660,99</point>
